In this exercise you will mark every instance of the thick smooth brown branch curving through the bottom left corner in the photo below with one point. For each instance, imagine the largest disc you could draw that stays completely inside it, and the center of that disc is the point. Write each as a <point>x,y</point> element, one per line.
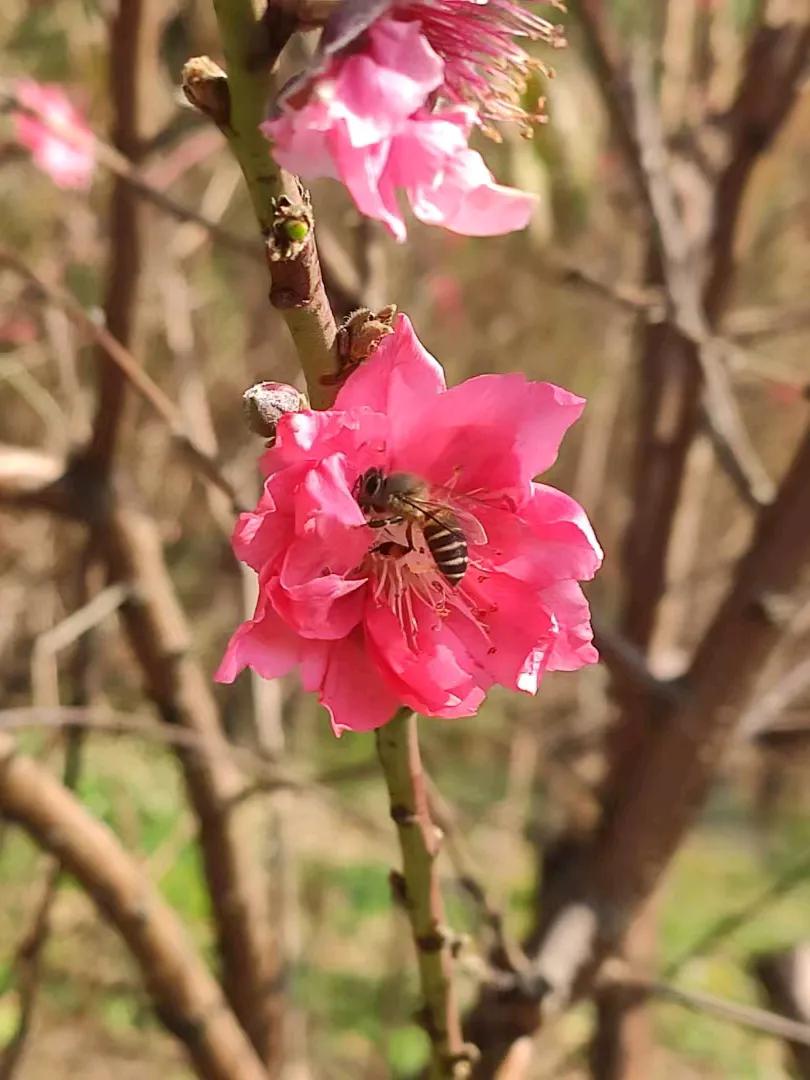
<point>186,997</point>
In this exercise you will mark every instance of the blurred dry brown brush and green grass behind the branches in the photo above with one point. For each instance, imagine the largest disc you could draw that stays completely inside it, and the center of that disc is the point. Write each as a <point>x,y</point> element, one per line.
<point>571,301</point>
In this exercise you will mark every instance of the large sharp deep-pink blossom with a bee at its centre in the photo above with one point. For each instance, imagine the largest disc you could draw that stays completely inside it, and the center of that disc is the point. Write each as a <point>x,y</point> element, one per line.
<point>373,626</point>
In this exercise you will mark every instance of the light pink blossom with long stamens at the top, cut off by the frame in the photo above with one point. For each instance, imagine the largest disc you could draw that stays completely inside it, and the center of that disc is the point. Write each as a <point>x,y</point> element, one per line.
<point>390,102</point>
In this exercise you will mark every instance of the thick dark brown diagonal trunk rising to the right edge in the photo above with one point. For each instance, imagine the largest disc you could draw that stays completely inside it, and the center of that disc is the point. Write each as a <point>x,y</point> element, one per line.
<point>666,787</point>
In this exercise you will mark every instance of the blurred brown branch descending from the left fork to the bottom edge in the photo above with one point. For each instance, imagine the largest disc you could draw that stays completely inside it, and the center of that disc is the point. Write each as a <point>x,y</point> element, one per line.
<point>158,633</point>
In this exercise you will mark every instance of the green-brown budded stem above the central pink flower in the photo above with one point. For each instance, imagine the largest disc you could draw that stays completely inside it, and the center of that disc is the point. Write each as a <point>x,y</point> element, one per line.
<point>298,287</point>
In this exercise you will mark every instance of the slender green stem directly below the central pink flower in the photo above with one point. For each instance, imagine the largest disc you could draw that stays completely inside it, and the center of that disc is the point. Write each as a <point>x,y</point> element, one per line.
<point>398,746</point>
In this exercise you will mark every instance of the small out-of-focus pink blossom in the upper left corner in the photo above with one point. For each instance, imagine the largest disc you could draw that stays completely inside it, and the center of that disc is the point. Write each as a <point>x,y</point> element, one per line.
<point>59,139</point>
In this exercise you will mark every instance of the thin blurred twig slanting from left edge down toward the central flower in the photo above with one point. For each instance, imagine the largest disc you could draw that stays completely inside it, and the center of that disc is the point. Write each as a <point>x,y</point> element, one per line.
<point>130,369</point>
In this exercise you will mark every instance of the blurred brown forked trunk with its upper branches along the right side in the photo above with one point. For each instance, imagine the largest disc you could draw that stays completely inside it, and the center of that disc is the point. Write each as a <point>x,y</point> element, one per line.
<point>663,755</point>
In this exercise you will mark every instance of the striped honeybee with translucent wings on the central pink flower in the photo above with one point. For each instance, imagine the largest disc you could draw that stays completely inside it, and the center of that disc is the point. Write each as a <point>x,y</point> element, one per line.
<point>401,497</point>
